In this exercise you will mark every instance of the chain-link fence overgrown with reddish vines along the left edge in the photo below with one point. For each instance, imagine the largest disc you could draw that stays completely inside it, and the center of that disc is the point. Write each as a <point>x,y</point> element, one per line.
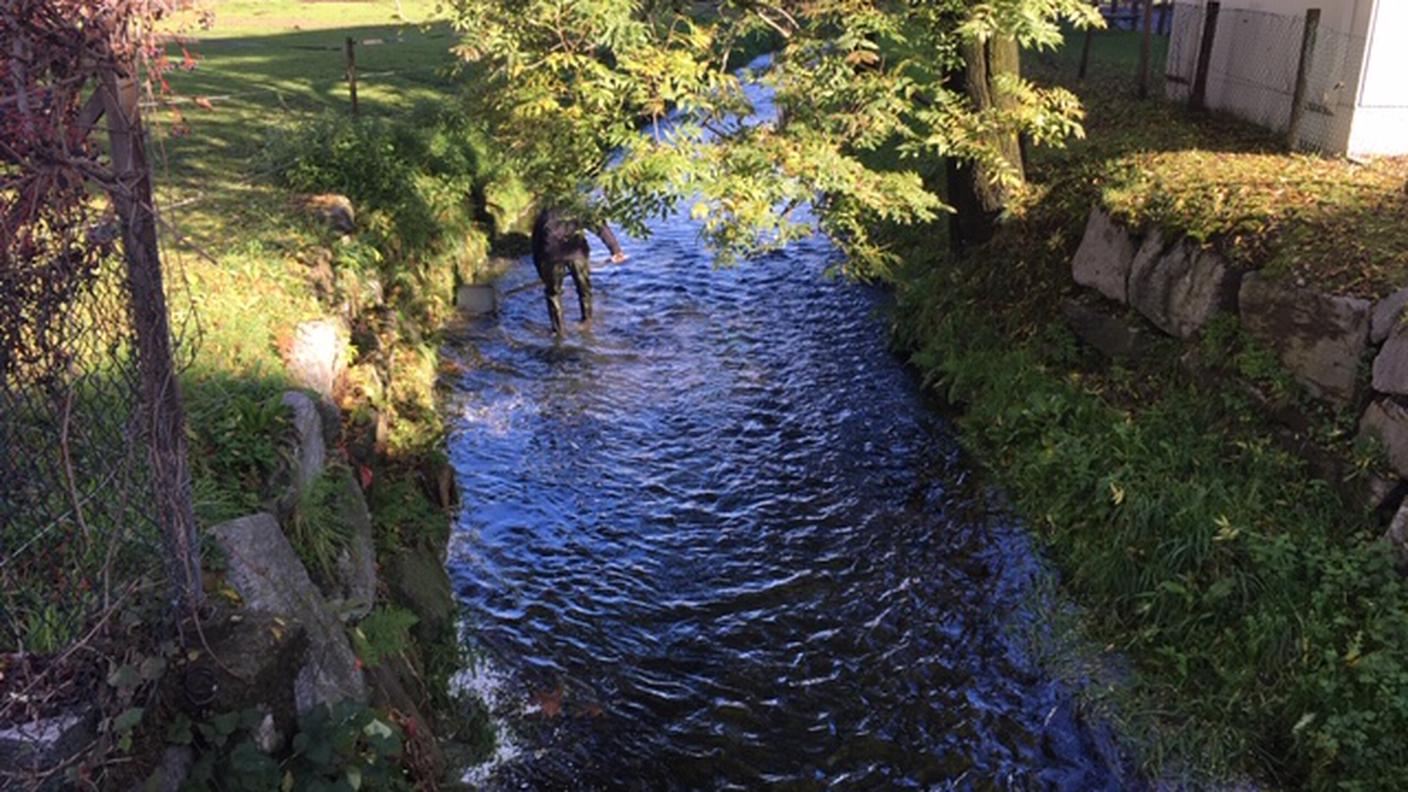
<point>96,532</point>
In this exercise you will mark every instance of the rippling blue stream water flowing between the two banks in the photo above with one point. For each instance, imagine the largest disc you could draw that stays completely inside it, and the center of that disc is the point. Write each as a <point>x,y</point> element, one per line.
<point>717,540</point>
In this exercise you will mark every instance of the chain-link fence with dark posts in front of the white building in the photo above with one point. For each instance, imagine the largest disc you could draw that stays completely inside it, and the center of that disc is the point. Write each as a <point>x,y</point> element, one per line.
<point>1252,70</point>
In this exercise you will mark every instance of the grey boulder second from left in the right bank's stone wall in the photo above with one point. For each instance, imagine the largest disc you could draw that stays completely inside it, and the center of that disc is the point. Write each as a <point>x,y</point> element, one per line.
<point>1179,288</point>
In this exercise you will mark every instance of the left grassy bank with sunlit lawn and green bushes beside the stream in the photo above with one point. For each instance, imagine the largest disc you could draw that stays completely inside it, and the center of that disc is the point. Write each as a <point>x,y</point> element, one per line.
<point>260,119</point>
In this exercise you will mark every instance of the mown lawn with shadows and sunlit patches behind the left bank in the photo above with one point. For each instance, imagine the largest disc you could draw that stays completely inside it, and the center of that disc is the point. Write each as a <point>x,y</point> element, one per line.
<point>237,252</point>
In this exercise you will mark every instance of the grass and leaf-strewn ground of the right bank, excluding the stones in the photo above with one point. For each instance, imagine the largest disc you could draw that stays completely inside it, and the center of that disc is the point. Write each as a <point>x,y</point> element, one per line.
<point>1266,632</point>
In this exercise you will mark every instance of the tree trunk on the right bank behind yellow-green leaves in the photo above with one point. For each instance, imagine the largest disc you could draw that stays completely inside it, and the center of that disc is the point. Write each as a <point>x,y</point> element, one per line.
<point>974,190</point>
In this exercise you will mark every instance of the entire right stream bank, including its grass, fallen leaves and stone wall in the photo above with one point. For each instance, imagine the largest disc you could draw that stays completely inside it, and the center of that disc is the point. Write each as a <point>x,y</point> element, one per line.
<point>1199,485</point>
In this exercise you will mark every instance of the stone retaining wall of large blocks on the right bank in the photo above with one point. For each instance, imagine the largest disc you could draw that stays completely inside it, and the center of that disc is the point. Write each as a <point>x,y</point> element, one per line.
<point>1348,353</point>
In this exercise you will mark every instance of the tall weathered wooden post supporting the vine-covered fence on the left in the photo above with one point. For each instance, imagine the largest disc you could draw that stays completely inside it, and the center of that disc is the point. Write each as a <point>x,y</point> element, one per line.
<point>165,419</point>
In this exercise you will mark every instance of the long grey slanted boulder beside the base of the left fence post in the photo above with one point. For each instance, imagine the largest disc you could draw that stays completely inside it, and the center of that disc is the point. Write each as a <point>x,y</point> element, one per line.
<point>270,578</point>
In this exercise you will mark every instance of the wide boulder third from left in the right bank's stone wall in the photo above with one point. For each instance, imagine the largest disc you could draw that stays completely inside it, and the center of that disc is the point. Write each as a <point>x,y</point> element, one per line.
<point>1320,339</point>
